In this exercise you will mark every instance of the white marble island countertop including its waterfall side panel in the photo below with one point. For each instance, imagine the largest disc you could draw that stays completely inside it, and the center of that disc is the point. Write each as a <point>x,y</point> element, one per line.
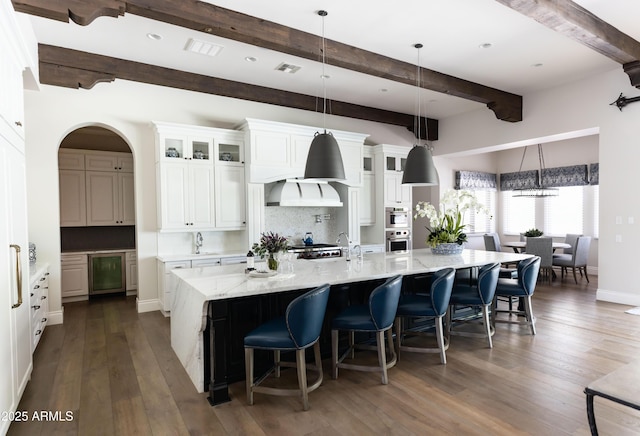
<point>197,286</point>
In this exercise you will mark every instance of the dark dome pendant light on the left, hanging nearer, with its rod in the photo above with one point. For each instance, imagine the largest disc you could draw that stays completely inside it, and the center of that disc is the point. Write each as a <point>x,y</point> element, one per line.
<point>324,160</point>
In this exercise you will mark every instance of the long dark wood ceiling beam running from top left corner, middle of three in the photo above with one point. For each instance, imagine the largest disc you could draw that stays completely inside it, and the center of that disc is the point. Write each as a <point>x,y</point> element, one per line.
<point>204,17</point>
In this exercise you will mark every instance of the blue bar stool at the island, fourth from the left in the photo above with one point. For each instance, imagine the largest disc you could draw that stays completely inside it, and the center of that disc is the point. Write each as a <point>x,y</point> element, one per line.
<point>480,294</point>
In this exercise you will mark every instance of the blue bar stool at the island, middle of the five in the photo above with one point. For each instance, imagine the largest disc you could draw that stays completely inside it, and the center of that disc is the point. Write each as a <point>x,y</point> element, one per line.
<point>434,305</point>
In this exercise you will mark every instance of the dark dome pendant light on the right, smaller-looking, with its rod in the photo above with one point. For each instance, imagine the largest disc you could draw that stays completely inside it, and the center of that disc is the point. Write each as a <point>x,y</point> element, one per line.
<point>419,169</point>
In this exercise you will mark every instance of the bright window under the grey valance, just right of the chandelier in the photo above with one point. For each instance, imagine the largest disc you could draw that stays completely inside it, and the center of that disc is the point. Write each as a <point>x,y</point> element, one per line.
<point>565,213</point>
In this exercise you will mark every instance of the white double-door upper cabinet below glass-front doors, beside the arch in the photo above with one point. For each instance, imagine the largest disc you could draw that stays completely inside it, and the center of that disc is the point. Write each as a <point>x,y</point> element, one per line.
<point>186,196</point>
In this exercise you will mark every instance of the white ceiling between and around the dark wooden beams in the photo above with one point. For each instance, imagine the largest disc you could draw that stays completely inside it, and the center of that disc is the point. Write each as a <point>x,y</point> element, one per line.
<point>451,31</point>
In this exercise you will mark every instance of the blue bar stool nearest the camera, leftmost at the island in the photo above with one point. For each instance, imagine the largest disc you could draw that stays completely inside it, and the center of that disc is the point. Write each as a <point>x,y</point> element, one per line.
<point>296,331</point>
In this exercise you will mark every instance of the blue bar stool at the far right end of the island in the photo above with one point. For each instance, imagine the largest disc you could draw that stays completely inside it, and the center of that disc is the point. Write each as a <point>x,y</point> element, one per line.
<point>522,287</point>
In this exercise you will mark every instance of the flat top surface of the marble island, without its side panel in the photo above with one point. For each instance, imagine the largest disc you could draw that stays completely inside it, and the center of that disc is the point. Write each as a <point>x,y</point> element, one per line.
<point>230,281</point>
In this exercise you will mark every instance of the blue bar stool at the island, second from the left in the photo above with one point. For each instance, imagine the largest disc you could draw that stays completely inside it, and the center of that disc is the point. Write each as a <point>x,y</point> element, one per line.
<point>375,317</point>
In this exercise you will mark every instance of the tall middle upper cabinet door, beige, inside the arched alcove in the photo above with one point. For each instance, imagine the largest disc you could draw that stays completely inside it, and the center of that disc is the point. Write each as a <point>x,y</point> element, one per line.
<point>102,198</point>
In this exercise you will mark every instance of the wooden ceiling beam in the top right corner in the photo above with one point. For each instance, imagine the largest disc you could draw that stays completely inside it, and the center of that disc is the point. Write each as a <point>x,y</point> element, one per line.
<point>577,23</point>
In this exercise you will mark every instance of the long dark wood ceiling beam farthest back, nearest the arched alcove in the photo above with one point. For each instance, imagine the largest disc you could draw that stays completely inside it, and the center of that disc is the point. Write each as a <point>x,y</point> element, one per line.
<point>75,69</point>
